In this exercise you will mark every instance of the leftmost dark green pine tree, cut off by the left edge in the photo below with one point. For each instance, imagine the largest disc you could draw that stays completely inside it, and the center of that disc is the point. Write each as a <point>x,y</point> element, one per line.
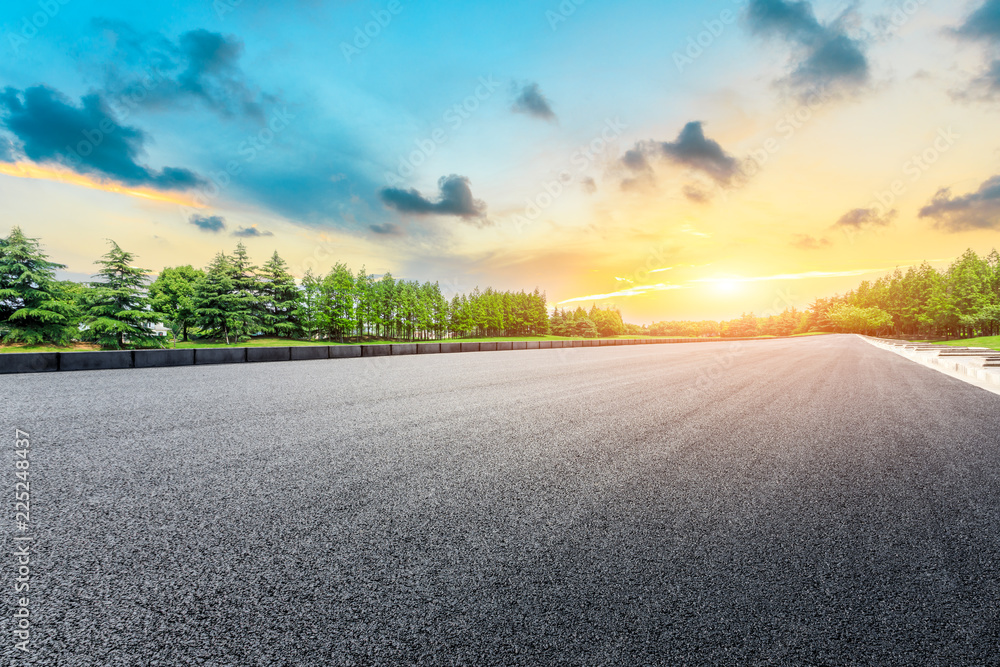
<point>33,306</point>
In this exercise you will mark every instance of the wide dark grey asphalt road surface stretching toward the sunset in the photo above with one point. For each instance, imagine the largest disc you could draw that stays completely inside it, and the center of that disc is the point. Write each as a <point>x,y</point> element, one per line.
<point>787,502</point>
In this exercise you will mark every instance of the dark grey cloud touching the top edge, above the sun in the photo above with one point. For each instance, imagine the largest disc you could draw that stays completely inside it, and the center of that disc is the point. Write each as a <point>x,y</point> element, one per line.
<point>826,56</point>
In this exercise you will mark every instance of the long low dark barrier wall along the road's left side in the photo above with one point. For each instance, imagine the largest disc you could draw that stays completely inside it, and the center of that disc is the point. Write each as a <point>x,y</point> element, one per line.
<point>40,362</point>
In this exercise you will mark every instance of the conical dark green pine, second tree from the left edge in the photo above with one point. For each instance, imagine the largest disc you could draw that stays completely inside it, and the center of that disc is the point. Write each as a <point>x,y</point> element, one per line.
<point>119,313</point>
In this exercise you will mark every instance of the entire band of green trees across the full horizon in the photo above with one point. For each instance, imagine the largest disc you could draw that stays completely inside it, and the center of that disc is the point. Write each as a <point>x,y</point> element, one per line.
<point>232,300</point>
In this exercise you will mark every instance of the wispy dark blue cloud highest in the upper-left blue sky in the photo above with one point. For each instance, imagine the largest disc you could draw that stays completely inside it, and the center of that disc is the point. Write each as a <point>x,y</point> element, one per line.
<point>200,67</point>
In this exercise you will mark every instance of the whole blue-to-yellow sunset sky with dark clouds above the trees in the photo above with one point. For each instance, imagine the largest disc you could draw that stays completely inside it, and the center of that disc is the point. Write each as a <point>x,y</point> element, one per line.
<point>676,160</point>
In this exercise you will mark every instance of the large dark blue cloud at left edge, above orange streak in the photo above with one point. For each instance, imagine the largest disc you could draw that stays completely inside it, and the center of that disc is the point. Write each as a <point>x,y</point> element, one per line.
<point>87,138</point>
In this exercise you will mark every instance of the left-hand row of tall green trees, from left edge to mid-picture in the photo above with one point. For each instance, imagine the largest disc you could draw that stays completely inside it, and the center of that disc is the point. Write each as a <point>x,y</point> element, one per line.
<point>232,299</point>
